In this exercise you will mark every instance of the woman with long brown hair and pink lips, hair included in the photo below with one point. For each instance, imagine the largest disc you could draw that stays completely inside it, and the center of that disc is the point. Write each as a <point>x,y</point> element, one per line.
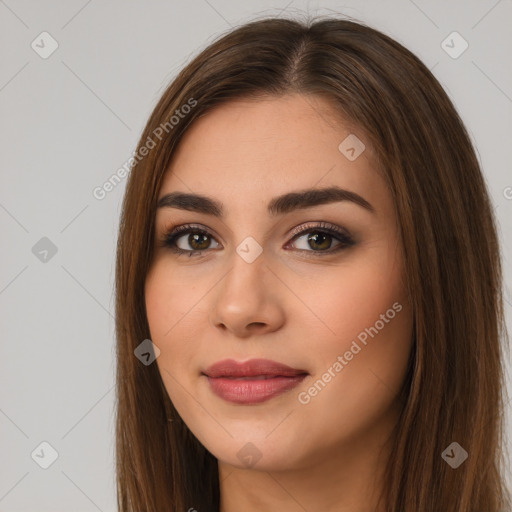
<point>309,276</point>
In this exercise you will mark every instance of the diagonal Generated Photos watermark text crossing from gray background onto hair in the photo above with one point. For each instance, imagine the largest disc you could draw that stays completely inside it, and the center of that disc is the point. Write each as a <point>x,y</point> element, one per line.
<point>100,192</point>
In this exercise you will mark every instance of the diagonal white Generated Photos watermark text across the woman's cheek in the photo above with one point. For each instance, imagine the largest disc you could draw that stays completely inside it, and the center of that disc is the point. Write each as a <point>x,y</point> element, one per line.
<point>304,397</point>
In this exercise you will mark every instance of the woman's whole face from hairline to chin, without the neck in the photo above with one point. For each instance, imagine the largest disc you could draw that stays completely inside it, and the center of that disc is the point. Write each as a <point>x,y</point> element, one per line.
<point>315,283</point>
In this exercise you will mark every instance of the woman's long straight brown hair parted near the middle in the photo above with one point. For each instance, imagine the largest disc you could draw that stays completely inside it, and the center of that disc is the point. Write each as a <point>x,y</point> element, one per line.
<point>454,390</point>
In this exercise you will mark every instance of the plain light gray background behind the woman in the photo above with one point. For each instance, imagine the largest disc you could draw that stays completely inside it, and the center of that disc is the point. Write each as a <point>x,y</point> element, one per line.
<point>69,121</point>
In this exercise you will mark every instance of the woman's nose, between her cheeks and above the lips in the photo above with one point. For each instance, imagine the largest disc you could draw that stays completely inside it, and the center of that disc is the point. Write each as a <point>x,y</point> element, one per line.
<point>248,300</point>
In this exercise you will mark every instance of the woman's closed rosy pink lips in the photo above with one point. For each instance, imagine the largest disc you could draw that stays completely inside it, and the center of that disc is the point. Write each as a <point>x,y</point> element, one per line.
<point>253,381</point>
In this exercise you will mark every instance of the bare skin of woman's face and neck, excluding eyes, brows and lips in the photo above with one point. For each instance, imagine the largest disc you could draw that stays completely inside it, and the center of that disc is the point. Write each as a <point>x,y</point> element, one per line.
<point>327,454</point>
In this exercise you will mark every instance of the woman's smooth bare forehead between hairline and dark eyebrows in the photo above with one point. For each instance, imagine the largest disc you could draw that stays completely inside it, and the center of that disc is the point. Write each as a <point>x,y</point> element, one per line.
<point>255,149</point>
